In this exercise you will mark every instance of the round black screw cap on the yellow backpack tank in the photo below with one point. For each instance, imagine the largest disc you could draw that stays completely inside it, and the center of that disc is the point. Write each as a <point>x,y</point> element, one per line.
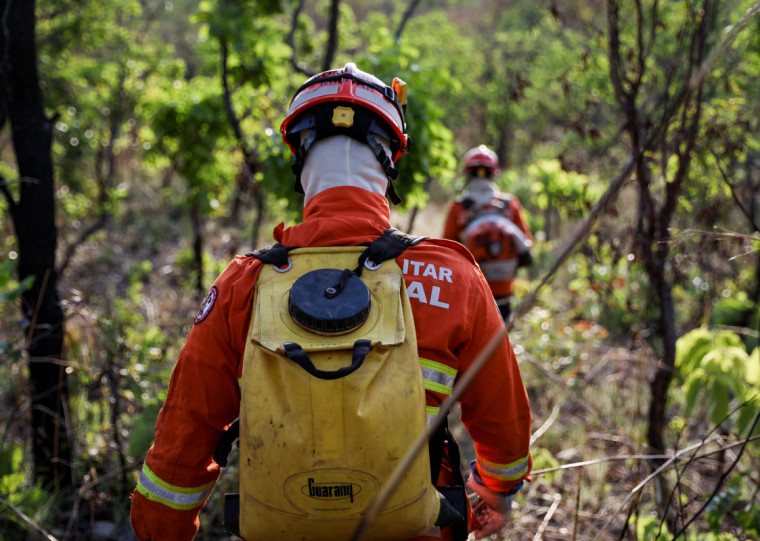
<point>313,310</point>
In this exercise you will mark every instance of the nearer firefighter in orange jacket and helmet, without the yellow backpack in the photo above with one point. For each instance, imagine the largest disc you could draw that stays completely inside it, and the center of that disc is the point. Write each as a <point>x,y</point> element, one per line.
<point>345,175</point>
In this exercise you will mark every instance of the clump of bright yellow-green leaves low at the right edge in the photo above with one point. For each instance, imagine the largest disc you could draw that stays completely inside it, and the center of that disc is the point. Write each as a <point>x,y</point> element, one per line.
<point>715,369</point>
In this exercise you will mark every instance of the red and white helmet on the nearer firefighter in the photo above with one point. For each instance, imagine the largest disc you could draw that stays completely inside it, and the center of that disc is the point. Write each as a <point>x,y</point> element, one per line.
<point>350,102</point>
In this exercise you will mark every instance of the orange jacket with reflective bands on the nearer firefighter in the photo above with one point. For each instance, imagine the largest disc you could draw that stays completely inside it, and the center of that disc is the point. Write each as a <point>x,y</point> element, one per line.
<point>455,317</point>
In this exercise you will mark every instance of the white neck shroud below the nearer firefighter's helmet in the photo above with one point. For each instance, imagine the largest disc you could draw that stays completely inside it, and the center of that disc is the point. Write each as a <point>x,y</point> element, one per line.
<point>342,161</point>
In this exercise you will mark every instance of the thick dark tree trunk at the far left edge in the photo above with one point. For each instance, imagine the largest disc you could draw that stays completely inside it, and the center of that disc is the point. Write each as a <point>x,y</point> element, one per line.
<point>32,210</point>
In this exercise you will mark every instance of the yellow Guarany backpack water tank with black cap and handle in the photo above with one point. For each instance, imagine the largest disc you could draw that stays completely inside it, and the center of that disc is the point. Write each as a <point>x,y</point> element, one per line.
<point>332,399</point>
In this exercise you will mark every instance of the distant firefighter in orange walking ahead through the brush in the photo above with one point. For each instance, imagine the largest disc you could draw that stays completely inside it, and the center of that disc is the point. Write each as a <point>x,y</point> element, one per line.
<point>490,224</point>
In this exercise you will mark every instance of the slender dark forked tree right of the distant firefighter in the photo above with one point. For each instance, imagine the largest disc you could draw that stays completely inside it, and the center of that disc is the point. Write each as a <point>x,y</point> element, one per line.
<point>632,66</point>
